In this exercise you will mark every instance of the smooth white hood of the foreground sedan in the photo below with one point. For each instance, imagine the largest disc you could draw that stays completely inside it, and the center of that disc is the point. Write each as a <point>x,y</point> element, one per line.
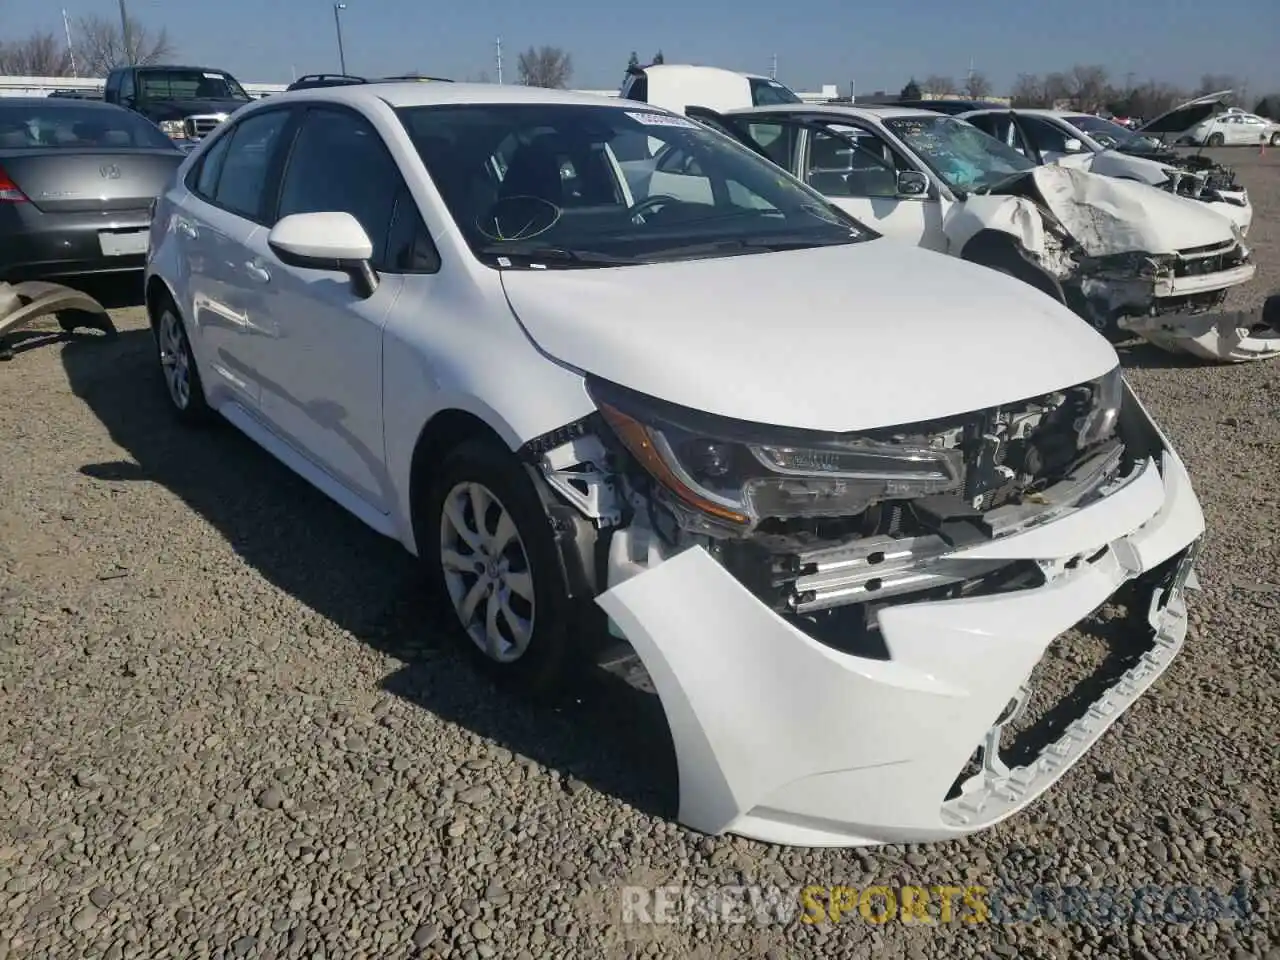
<point>833,339</point>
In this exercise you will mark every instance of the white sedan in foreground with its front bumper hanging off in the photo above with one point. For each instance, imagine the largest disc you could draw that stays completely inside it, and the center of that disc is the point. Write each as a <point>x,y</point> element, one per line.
<point>481,321</point>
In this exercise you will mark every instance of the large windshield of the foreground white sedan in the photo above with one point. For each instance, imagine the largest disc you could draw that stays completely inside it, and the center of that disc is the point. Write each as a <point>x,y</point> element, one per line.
<point>605,186</point>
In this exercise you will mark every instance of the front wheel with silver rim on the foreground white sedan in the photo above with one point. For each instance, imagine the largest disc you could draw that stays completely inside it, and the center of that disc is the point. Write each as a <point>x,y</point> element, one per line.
<point>524,629</point>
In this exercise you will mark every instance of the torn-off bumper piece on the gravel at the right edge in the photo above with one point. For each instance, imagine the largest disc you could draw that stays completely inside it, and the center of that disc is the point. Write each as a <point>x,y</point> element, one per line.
<point>1233,337</point>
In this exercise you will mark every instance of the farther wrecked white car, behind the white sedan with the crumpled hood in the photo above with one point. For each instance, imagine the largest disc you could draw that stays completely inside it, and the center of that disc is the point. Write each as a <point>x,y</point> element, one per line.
<point>1101,147</point>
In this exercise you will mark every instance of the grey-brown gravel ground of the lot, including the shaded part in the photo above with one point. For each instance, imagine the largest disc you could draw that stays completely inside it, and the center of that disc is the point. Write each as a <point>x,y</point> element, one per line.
<point>231,728</point>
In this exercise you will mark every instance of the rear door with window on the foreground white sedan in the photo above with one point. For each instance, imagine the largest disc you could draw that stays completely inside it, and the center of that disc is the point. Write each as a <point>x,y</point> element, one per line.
<point>231,189</point>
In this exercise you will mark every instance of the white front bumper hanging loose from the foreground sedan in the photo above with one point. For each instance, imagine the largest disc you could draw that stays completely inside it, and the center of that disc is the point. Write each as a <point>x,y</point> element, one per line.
<point>783,739</point>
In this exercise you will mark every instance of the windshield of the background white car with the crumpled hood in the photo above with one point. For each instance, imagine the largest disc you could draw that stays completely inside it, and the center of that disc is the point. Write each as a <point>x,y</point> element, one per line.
<point>966,158</point>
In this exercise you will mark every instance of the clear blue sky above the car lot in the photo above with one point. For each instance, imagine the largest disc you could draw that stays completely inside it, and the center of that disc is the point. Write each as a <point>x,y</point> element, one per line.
<point>874,44</point>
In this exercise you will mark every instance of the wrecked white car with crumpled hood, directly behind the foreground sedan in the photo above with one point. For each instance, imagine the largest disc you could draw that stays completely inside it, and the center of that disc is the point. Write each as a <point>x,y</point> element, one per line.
<point>1126,257</point>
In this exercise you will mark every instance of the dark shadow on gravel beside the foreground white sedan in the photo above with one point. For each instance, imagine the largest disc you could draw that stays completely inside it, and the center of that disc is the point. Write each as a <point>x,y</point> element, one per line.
<point>611,735</point>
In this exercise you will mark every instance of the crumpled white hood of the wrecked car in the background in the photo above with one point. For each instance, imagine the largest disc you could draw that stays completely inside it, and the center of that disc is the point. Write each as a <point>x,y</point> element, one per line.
<point>1110,216</point>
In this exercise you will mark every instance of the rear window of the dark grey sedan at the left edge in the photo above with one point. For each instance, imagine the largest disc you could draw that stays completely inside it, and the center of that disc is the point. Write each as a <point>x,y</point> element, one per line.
<point>74,127</point>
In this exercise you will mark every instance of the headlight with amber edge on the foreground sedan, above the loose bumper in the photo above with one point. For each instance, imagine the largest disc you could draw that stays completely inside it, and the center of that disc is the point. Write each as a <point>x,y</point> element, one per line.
<point>743,473</point>
